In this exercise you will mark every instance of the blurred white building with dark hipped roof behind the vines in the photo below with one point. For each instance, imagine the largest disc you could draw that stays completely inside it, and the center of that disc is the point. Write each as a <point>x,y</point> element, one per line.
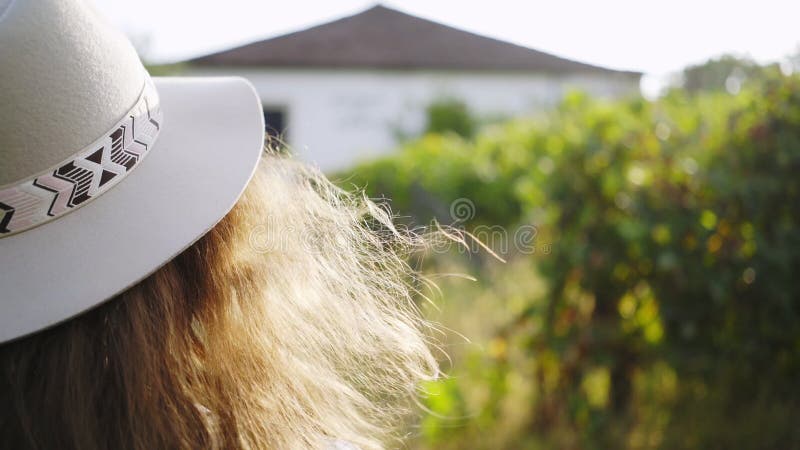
<point>345,90</point>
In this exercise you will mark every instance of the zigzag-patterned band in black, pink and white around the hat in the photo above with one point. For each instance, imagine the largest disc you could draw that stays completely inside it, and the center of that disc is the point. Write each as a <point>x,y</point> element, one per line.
<point>87,174</point>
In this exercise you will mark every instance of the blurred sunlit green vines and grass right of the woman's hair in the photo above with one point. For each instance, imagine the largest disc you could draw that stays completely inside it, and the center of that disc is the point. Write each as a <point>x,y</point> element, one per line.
<point>667,313</point>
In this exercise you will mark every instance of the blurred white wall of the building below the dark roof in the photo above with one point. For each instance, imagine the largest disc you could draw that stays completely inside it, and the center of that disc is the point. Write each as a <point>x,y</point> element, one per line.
<point>337,117</point>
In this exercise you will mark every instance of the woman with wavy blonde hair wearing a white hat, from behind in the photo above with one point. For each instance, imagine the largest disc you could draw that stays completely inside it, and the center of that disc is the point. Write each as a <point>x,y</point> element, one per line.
<point>166,285</point>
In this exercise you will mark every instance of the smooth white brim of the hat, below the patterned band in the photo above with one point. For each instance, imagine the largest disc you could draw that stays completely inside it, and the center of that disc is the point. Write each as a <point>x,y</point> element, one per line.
<point>208,148</point>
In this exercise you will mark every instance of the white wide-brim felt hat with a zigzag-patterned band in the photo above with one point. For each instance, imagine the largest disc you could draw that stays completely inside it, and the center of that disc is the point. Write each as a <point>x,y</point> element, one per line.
<point>106,174</point>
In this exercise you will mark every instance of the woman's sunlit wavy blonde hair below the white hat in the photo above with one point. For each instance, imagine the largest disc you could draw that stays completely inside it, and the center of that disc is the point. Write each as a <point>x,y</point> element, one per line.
<point>289,325</point>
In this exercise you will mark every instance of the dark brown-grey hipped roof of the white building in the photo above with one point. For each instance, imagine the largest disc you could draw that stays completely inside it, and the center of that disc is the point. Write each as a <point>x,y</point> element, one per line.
<point>381,37</point>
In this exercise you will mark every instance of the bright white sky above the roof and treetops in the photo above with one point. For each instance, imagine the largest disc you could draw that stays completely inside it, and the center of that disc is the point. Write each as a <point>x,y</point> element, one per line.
<point>655,37</point>
